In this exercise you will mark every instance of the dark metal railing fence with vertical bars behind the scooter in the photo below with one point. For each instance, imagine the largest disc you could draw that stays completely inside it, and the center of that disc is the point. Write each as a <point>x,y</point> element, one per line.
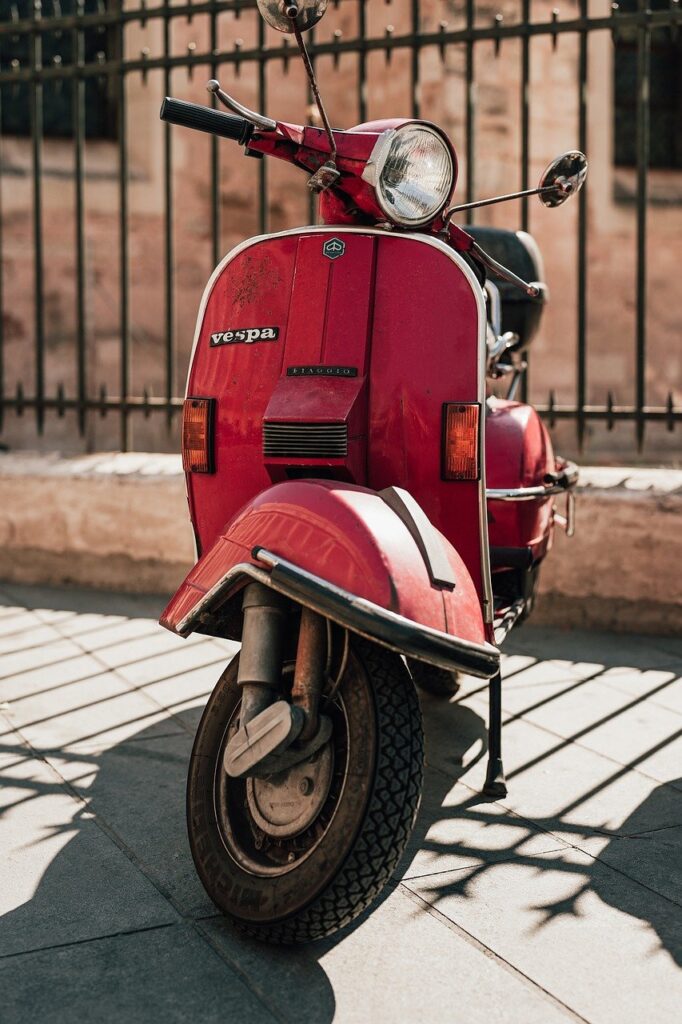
<point>64,66</point>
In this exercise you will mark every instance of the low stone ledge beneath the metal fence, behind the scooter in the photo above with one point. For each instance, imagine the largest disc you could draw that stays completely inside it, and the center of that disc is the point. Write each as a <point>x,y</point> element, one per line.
<point>120,523</point>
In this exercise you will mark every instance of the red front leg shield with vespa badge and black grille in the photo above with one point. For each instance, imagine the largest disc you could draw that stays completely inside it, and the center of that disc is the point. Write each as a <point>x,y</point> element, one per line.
<point>354,329</point>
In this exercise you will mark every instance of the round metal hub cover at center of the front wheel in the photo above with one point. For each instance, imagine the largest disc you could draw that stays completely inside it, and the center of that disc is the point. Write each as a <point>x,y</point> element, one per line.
<point>286,804</point>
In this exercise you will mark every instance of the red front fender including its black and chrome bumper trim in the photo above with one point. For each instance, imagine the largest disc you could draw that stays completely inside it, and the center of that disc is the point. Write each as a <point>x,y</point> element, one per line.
<point>364,560</point>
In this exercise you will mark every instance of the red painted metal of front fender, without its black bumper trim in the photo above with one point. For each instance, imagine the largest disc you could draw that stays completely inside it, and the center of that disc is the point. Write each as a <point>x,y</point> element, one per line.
<point>350,537</point>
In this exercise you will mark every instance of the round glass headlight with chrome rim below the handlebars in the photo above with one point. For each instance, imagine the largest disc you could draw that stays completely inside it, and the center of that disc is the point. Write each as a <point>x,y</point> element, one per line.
<point>413,174</point>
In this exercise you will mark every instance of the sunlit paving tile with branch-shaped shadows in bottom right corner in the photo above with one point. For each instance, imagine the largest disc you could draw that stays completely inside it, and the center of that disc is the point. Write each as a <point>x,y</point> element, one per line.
<point>606,947</point>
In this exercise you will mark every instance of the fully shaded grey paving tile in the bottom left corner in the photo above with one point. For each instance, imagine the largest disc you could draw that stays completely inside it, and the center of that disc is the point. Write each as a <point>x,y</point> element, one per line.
<point>164,976</point>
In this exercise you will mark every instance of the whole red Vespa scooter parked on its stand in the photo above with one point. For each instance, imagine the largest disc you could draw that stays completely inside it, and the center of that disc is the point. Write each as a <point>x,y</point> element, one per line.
<point>337,436</point>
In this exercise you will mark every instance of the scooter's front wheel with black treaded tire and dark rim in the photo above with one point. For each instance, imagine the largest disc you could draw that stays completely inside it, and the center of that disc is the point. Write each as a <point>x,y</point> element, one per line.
<point>357,838</point>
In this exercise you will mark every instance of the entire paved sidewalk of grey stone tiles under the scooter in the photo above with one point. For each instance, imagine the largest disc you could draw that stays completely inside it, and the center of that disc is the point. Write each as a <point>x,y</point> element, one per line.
<point>563,903</point>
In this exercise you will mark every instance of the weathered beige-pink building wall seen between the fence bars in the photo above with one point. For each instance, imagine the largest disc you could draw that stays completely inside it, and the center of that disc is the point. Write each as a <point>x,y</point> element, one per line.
<point>555,127</point>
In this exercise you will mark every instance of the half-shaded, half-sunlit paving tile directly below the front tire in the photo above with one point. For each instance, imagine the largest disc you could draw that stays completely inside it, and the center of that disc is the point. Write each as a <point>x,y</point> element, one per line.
<point>399,964</point>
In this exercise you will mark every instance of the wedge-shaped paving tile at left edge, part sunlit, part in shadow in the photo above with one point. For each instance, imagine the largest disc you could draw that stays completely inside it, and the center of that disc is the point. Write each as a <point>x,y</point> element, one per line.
<point>64,879</point>
